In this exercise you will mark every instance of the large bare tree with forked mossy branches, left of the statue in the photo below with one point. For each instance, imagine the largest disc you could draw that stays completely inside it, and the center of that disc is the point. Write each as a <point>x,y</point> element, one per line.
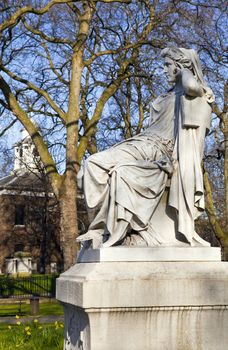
<point>60,64</point>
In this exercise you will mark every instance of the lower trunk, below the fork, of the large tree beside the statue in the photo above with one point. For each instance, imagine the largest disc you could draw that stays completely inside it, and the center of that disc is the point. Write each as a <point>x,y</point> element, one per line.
<point>68,219</point>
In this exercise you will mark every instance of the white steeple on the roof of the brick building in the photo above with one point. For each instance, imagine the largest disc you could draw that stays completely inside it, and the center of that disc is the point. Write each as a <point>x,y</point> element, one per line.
<point>25,154</point>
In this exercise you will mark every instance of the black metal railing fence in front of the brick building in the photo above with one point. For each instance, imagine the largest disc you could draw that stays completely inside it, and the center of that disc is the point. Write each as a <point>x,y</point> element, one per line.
<point>26,287</point>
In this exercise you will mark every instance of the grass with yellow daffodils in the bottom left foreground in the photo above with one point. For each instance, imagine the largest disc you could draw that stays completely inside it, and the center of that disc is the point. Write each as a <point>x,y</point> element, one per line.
<point>31,336</point>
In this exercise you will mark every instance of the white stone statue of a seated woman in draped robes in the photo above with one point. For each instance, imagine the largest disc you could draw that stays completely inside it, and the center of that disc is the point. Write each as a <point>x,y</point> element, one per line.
<point>126,182</point>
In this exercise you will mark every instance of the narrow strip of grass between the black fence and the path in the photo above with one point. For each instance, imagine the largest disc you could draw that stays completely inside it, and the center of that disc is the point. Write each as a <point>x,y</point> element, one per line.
<point>53,308</point>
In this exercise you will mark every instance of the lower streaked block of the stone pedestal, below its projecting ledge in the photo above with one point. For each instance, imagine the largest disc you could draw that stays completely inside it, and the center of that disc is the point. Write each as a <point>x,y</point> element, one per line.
<point>184,328</point>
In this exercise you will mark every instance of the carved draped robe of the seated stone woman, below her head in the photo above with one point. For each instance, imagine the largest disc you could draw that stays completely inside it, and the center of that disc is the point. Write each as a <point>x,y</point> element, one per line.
<point>125,183</point>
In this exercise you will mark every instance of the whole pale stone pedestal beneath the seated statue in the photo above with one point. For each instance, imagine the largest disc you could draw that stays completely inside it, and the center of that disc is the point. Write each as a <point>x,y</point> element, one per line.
<point>145,305</point>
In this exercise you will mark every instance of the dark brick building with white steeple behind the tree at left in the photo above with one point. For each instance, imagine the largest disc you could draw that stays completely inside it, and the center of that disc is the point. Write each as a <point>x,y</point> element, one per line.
<point>29,218</point>
